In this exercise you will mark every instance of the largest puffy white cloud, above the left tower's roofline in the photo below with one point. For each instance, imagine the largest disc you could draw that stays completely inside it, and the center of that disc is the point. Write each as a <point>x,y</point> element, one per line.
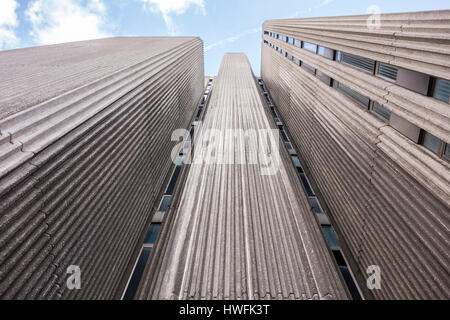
<point>58,21</point>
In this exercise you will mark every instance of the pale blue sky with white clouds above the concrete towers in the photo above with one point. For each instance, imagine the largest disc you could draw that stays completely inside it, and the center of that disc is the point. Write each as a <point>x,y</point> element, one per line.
<point>223,25</point>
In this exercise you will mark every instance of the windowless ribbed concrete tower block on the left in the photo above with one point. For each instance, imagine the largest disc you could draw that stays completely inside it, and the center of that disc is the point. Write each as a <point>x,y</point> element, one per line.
<point>84,150</point>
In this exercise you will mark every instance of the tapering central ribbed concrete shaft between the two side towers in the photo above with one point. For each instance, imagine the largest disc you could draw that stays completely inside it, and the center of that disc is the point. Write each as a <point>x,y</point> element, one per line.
<point>236,234</point>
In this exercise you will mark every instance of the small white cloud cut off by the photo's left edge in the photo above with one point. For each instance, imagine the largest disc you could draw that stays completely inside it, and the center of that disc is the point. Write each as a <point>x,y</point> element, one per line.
<point>8,23</point>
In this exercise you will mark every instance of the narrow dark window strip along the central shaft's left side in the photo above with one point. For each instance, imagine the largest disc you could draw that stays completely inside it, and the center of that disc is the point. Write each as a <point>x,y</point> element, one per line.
<point>155,226</point>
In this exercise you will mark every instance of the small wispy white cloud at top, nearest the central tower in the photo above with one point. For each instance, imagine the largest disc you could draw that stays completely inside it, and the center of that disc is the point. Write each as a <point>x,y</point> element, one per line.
<point>168,7</point>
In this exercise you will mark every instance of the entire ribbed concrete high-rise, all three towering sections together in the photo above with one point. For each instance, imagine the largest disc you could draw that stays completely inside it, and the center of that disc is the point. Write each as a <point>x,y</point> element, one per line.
<point>354,178</point>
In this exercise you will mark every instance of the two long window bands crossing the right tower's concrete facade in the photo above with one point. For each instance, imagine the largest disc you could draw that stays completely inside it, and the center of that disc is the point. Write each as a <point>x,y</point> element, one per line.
<point>415,81</point>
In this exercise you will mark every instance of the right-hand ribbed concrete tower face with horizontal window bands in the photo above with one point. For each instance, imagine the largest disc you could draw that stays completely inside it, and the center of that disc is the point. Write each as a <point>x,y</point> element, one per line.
<point>388,195</point>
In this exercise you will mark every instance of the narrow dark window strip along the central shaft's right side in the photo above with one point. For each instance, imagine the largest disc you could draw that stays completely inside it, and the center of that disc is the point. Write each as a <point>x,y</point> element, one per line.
<point>325,224</point>
